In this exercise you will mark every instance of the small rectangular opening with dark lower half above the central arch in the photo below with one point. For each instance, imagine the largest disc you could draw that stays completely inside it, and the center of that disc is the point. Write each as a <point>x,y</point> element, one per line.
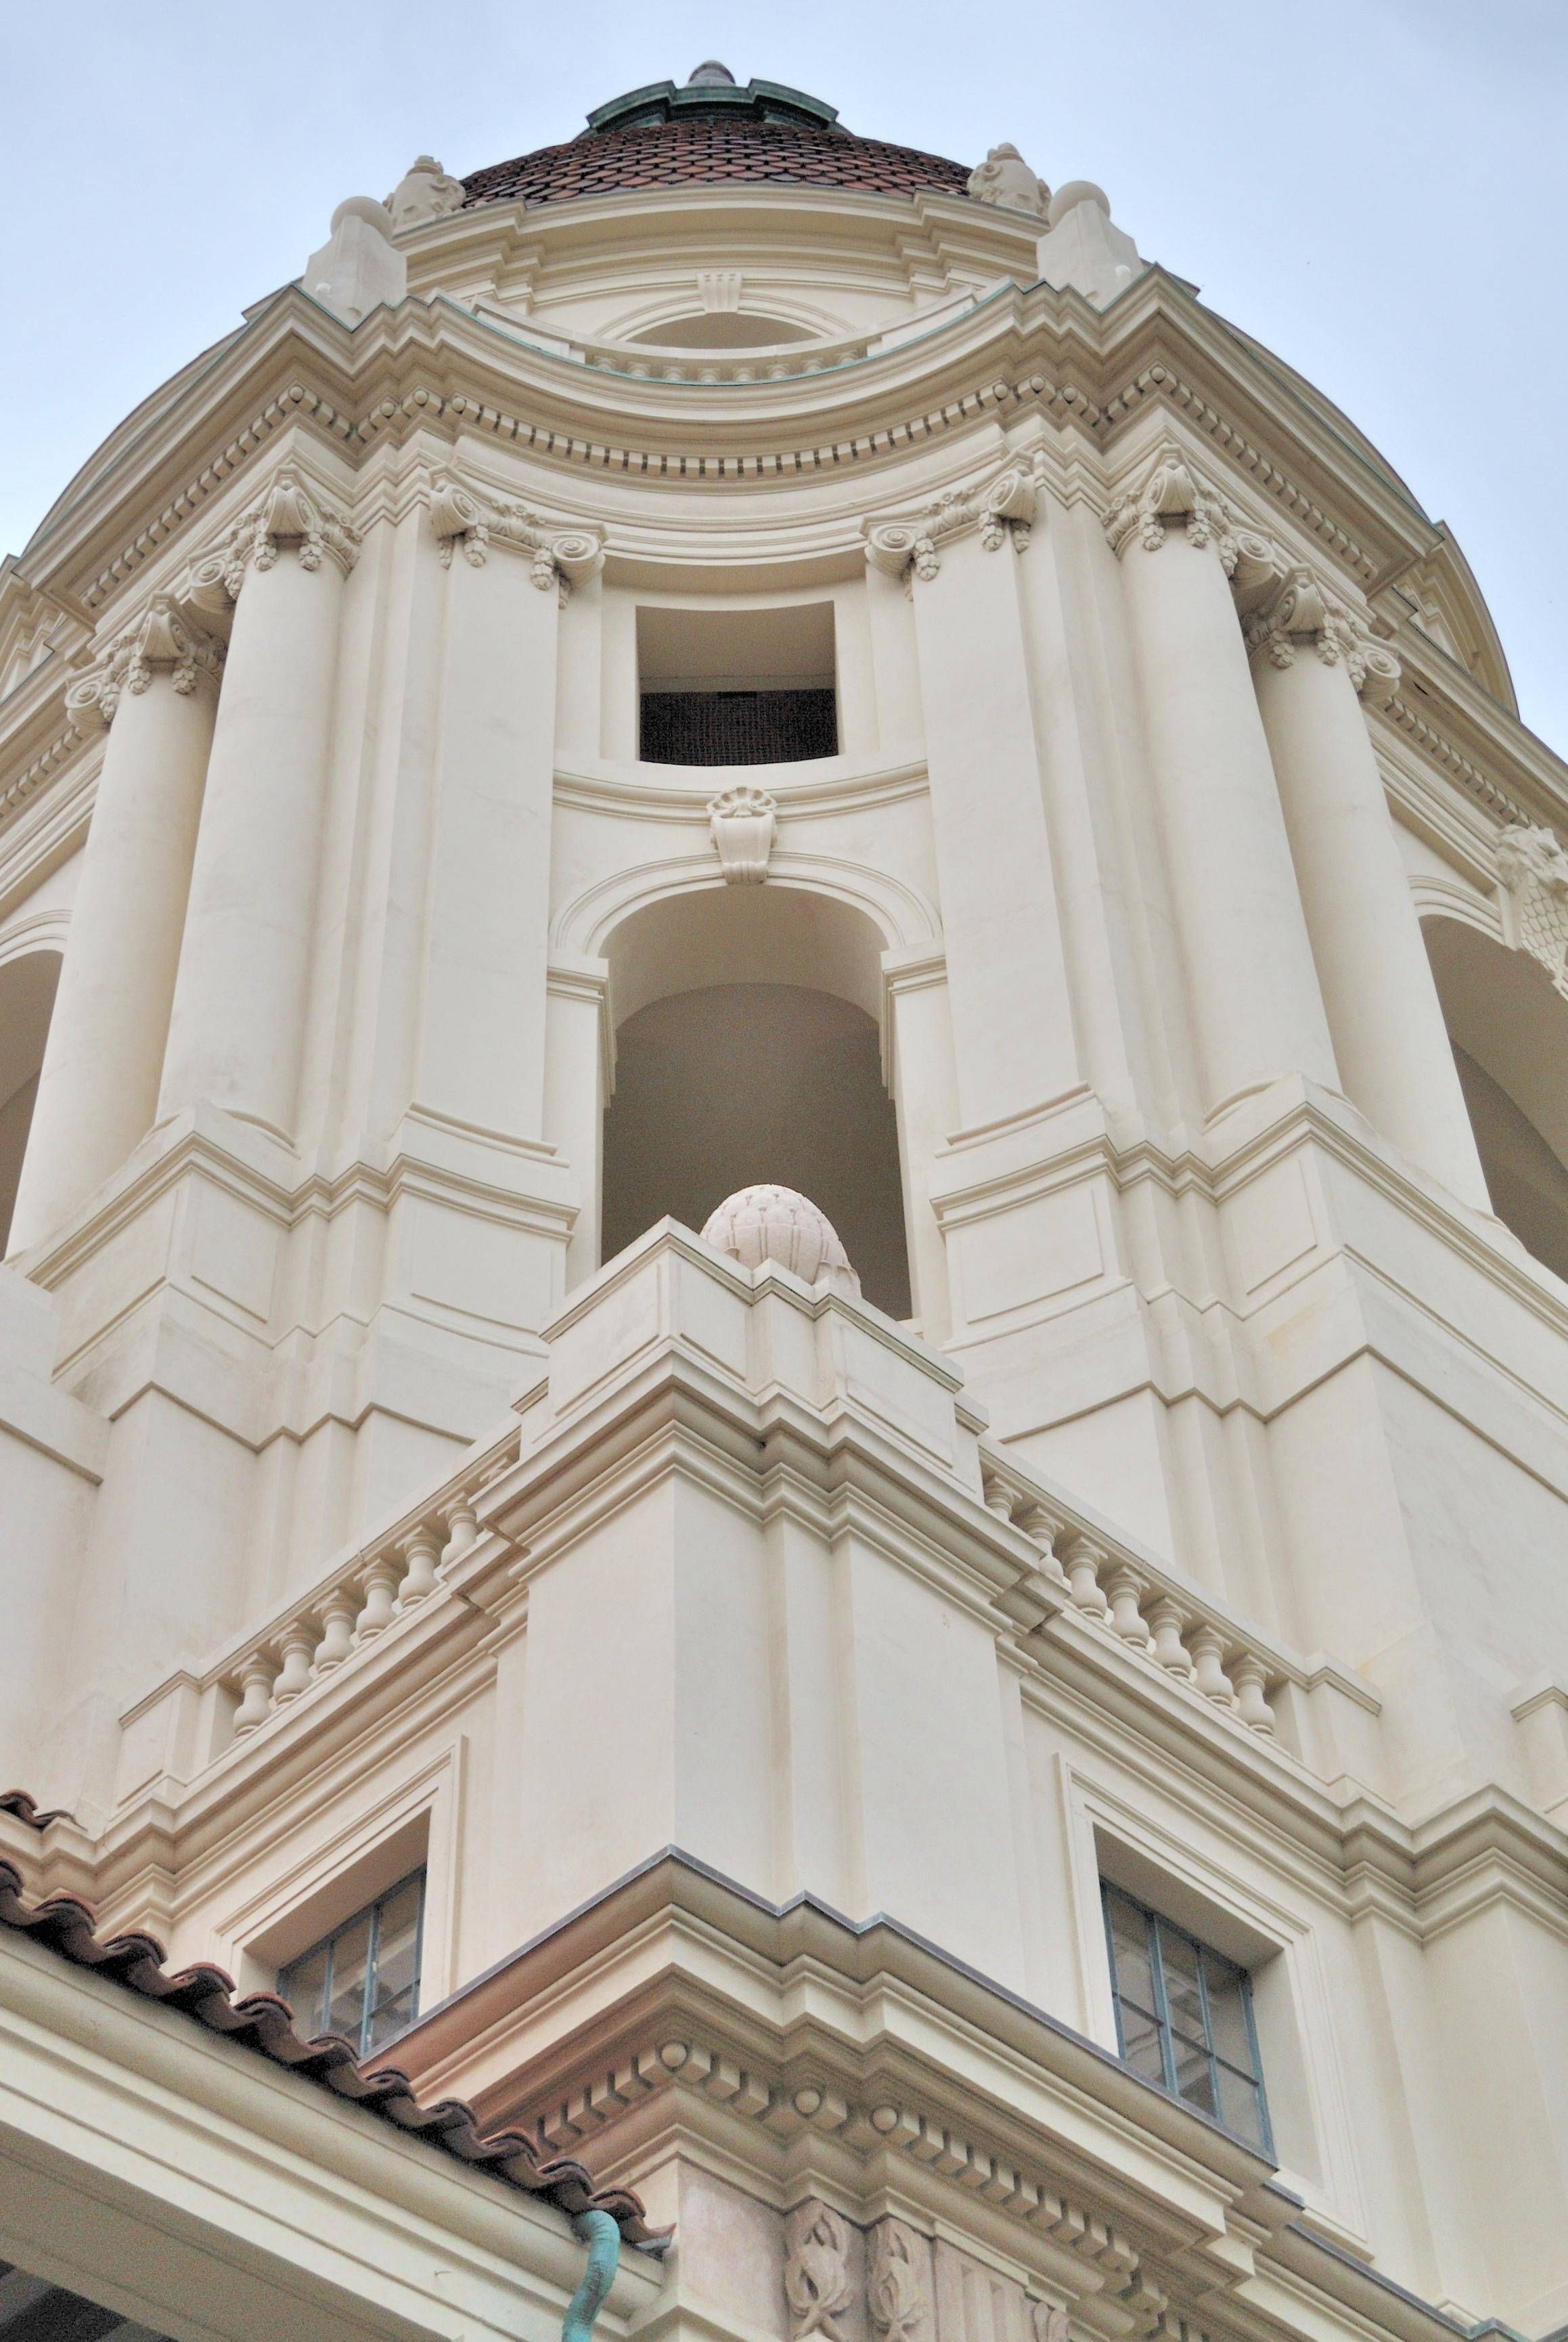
<point>737,685</point>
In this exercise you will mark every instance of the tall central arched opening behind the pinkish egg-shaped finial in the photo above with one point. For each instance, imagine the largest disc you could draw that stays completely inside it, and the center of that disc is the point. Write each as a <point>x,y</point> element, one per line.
<point>749,1048</point>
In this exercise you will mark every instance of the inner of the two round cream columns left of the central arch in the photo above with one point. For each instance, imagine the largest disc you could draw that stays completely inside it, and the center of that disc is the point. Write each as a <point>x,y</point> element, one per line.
<point>238,1025</point>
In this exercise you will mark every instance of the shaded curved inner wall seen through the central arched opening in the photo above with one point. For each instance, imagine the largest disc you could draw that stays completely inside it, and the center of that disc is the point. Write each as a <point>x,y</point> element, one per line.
<point>744,1083</point>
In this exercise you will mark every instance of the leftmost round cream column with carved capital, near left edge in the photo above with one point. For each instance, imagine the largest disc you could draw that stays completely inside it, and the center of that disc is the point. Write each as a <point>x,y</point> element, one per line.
<point>97,1093</point>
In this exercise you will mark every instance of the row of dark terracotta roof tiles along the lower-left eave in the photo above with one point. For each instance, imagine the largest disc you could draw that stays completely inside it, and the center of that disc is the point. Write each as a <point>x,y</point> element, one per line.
<point>264,2022</point>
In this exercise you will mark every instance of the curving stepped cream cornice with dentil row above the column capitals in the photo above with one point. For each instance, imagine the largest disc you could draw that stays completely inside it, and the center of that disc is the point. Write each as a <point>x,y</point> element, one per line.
<point>294,357</point>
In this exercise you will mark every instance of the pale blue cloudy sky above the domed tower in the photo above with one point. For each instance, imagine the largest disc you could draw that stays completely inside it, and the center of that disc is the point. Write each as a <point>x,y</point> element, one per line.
<point>1375,189</point>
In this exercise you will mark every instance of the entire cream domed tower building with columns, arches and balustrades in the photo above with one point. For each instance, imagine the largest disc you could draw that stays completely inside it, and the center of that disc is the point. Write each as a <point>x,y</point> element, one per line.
<point>784,1362</point>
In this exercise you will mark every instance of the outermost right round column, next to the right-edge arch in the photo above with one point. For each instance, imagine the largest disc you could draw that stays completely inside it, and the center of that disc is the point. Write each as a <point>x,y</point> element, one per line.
<point>1311,662</point>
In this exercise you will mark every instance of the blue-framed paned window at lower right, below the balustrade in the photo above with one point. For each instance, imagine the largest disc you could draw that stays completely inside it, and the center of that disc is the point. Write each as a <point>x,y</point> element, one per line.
<point>1185,2018</point>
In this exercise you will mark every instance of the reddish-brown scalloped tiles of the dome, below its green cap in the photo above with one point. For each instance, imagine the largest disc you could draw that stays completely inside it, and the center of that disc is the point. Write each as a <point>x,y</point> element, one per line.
<point>707,153</point>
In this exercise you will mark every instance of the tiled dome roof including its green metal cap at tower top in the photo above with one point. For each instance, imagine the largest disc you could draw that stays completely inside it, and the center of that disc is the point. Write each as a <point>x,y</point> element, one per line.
<point>711,137</point>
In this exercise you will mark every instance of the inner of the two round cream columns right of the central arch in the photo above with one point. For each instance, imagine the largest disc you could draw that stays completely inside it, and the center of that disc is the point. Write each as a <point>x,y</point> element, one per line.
<point>1250,978</point>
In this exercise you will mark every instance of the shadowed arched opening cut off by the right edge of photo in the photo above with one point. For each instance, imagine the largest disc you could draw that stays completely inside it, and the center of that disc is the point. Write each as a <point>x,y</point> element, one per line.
<point>1511,1041</point>
